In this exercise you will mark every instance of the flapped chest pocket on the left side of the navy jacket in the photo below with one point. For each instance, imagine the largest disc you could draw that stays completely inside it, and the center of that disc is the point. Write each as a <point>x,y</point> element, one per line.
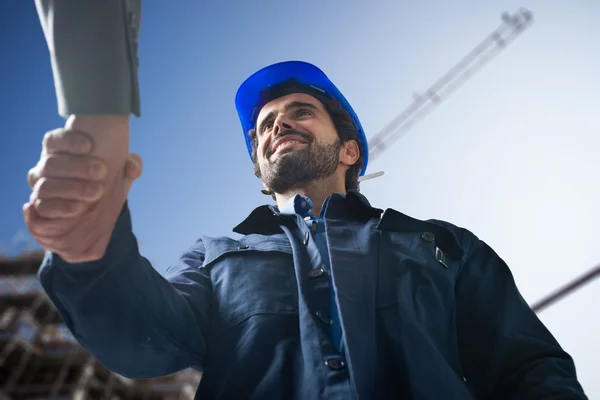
<point>251,277</point>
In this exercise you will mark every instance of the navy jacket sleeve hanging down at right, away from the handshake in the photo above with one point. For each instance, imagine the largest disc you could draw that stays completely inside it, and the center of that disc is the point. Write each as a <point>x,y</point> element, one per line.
<point>506,351</point>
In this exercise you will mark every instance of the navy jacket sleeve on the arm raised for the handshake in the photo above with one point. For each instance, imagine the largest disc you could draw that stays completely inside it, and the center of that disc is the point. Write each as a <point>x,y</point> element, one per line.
<point>135,321</point>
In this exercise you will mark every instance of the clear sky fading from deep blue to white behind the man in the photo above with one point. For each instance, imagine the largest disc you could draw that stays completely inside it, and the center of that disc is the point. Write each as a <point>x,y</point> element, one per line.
<point>512,156</point>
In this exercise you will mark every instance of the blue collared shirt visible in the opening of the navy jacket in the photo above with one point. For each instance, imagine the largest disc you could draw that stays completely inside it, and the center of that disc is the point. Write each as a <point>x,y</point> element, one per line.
<point>302,206</point>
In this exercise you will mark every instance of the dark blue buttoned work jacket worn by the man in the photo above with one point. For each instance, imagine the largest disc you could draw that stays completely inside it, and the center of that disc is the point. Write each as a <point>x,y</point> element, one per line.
<point>428,311</point>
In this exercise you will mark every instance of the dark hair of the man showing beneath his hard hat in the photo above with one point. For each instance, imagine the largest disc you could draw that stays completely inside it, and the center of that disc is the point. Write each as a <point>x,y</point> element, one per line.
<point>344,126</point>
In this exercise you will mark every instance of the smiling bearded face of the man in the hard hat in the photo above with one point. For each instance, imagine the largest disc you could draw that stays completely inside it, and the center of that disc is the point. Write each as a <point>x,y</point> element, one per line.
<point>297,142</point>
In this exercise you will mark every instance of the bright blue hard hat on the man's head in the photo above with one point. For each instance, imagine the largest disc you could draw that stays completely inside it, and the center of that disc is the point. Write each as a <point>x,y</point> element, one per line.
<point>248,96</point>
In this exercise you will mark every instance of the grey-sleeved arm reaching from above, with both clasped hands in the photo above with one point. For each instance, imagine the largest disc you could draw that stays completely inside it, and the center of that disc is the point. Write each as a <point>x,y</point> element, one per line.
<point>93,51</point>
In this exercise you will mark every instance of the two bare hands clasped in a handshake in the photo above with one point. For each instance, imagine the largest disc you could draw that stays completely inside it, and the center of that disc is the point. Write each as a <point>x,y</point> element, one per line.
<point>79,186</point>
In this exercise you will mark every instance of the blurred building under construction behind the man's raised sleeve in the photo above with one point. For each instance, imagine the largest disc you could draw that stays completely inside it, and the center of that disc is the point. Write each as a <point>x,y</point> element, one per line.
<point>40,359</point>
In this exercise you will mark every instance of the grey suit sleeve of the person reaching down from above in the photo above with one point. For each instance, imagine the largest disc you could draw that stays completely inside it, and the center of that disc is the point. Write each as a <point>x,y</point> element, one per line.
<point>93,52</point>
